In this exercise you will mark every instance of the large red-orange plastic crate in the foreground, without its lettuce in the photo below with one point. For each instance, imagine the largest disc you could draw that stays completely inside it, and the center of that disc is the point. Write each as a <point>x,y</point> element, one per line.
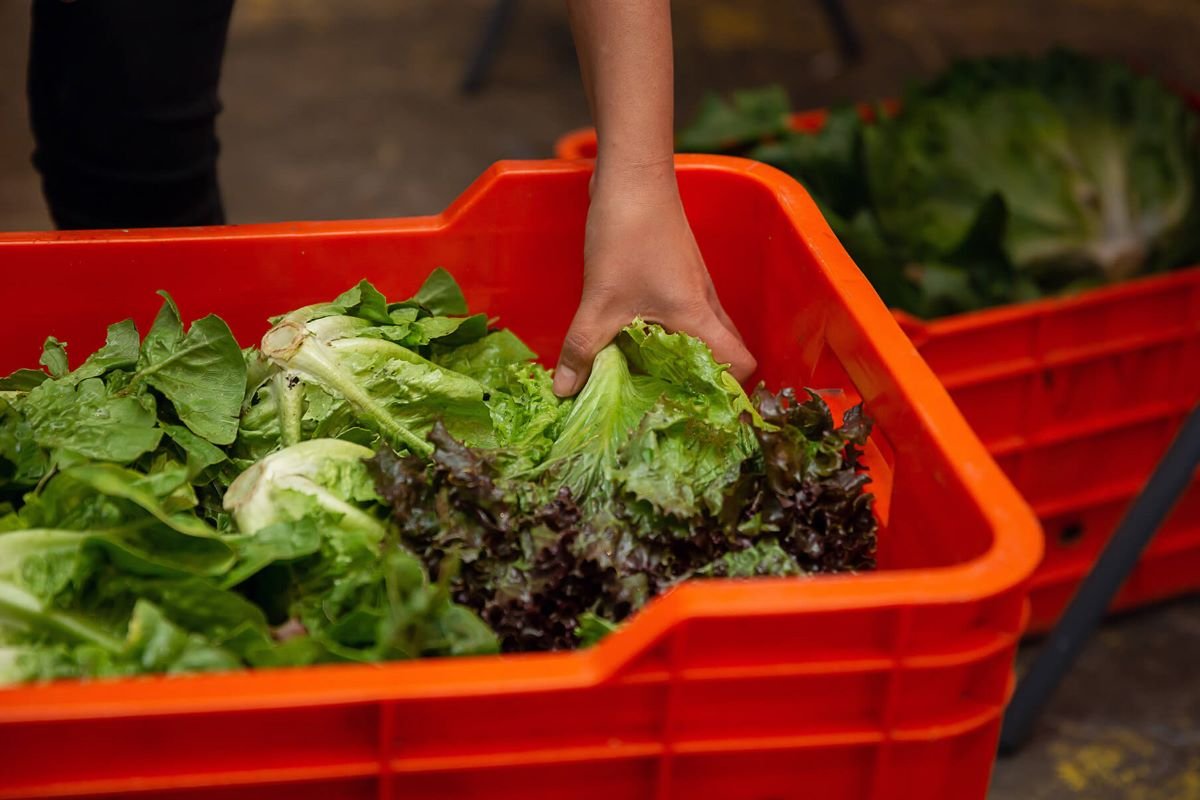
<point>839,687</point>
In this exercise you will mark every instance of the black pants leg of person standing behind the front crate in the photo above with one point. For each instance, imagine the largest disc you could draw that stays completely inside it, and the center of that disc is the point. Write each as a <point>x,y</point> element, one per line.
<point>123,99</point>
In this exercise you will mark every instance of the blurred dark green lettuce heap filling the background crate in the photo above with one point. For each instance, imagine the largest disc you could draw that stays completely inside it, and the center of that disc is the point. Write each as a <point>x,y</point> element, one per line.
<point>1003,181</point>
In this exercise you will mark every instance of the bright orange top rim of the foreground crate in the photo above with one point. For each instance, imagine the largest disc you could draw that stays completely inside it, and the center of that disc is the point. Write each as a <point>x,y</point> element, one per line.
<point>1011,560</point>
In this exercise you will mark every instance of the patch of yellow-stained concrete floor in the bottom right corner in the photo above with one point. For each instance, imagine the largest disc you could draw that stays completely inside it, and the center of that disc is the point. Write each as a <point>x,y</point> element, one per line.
<point>1126,723</point>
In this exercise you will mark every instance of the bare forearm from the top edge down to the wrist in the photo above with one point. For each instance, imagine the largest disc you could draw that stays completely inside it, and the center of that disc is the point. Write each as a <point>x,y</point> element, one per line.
<point>626,58</point>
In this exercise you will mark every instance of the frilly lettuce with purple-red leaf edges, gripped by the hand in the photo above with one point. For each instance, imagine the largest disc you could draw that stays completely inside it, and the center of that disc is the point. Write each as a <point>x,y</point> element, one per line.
<point>549,568</point>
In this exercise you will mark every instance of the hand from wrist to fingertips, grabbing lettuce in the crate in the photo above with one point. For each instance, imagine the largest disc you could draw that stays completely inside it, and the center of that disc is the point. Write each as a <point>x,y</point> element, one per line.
<point>640,260</point>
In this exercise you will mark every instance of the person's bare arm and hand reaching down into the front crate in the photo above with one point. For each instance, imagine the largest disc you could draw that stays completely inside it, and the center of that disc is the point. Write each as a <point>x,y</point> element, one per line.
<point>640,258</point>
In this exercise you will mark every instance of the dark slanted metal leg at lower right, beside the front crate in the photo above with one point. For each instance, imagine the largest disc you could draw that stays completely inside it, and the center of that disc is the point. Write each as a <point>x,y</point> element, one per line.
<point>1095,594</point>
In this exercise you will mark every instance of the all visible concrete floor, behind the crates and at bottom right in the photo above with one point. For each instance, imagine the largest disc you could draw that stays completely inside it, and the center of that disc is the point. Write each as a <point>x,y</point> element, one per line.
<point>350,110</point>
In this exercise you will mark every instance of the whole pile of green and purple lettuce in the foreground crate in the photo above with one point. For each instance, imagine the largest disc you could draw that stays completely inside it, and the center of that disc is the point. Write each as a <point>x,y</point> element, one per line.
<point>391,480</point>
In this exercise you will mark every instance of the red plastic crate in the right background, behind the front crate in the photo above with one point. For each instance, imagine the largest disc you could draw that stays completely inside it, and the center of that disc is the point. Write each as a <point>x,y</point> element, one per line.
<point>1077,399</point>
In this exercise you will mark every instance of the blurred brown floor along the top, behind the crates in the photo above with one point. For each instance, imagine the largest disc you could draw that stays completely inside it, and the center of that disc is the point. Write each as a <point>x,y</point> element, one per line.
<point>351,109</point>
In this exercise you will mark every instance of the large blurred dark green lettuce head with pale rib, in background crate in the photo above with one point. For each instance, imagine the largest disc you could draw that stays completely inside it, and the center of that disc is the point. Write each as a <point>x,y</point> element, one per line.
<point>1095,166</point>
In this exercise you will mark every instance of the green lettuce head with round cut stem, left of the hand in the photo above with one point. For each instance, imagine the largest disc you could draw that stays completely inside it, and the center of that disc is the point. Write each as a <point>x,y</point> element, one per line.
<point>363,365</point>
